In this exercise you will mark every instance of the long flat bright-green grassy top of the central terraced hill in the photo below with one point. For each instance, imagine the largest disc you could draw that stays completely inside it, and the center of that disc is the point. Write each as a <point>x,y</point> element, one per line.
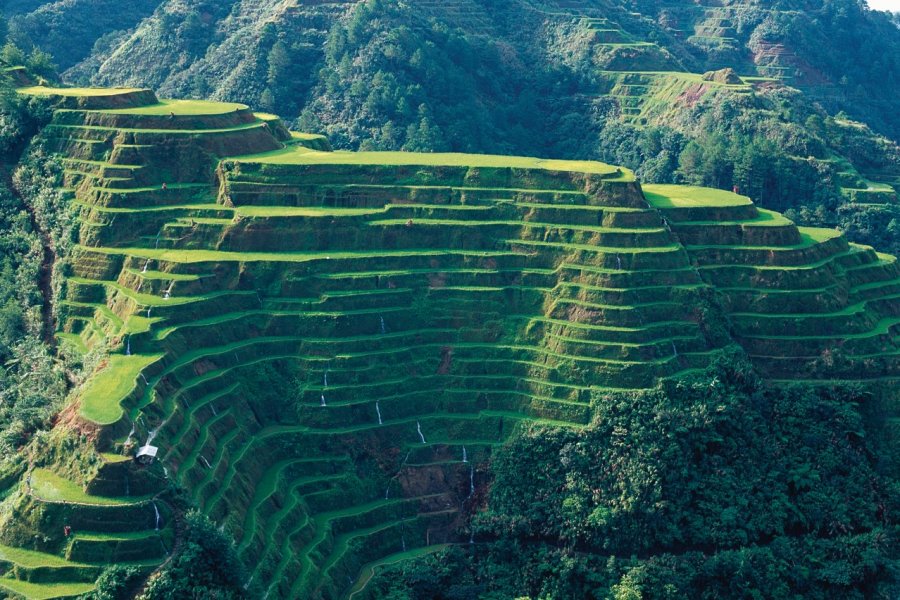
<point>304,156</point>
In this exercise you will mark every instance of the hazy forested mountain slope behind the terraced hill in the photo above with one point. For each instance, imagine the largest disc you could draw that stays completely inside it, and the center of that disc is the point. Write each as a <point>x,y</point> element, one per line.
<point>633,83</point>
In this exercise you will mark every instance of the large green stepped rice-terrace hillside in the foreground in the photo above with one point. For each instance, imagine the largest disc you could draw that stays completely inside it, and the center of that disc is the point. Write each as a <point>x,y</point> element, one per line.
<point>325,346</point>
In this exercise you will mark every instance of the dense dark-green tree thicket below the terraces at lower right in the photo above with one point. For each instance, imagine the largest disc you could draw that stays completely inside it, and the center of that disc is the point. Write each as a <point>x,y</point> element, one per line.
<point>711,487</point>
